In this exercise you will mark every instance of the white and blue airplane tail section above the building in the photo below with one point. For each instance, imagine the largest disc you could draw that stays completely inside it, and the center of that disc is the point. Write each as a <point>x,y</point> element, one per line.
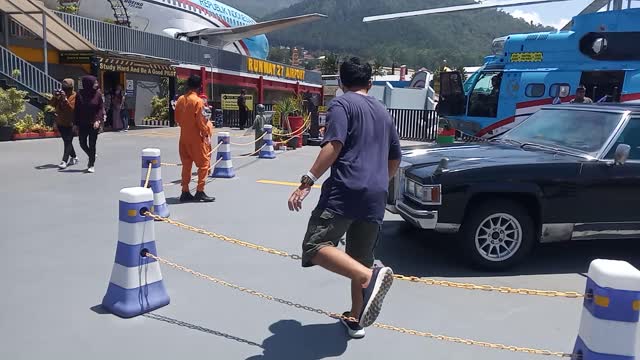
<point>209,22</point>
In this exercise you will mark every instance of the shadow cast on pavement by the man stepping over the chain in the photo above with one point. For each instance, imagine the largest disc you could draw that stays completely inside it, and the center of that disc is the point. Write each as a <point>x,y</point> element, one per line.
<point>291,340</point>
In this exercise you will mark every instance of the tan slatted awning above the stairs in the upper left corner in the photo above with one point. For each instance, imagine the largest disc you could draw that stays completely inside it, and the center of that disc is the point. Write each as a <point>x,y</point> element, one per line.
<point>29,13</point>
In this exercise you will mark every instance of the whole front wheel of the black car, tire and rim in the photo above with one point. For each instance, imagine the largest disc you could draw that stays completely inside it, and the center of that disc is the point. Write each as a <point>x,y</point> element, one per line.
<point>497,235</point>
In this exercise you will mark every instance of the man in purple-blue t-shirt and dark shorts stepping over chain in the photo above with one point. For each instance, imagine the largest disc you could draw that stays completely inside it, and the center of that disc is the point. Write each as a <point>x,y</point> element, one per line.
<point>362,148</point>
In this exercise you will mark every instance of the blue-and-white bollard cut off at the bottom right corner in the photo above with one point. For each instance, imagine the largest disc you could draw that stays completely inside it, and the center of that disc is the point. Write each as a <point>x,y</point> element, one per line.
<point>609,323</point>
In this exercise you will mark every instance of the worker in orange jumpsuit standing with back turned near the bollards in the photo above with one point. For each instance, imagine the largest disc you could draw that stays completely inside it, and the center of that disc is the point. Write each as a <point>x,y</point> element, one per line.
<point>195,140</point>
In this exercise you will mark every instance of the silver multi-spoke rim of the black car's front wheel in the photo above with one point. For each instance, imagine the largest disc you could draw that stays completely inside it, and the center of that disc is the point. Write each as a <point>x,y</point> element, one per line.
<point>498,237</point>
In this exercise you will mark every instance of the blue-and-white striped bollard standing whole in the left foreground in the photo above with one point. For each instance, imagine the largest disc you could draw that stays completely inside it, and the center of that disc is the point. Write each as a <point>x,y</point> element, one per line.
<point>136,285</point>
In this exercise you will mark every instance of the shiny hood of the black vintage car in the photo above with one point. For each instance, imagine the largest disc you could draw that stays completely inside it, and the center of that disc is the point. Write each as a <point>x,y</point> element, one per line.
<point>424,160</point>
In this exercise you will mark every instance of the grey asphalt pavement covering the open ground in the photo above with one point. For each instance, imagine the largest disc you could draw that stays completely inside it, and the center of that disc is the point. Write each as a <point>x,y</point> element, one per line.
<point>59,239</point>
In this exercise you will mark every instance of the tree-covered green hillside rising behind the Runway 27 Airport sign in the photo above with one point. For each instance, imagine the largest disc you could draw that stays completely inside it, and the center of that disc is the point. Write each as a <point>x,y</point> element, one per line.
<point>462,38</point>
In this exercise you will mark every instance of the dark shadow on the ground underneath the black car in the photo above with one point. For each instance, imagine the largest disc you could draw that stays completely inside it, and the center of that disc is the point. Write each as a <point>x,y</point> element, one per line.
<point>411,251</point>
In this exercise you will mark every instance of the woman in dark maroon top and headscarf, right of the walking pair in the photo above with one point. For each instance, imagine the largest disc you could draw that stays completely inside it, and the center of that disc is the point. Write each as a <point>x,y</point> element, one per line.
<point>89,116</point>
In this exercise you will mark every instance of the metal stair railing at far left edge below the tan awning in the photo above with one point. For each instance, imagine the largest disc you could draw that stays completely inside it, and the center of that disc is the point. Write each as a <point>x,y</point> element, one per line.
<point>29,77</point>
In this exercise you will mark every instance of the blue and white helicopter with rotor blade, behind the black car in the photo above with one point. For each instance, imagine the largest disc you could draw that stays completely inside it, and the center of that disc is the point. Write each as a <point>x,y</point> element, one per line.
<point>597,49</point>
